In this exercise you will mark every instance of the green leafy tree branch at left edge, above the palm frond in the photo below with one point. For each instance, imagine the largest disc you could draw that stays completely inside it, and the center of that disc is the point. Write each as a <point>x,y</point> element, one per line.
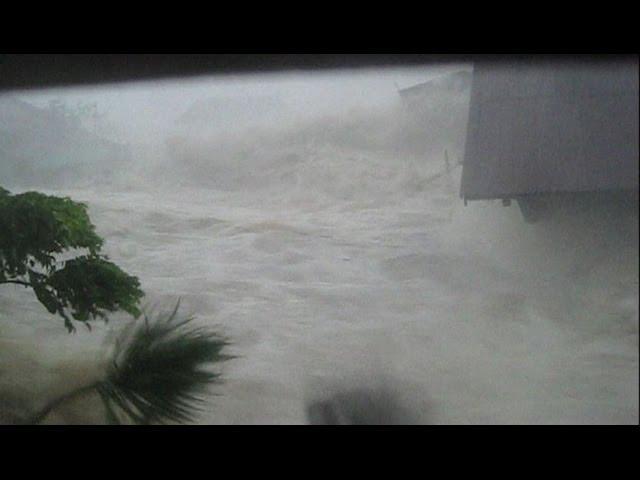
<point>34,230</point>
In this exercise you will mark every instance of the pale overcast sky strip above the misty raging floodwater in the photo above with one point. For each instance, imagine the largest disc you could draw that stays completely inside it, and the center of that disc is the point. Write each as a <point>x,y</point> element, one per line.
<point>145,108</point>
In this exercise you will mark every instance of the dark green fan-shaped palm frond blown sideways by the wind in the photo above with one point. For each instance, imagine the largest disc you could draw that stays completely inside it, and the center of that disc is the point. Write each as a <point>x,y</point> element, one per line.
<point>161,370</point>
